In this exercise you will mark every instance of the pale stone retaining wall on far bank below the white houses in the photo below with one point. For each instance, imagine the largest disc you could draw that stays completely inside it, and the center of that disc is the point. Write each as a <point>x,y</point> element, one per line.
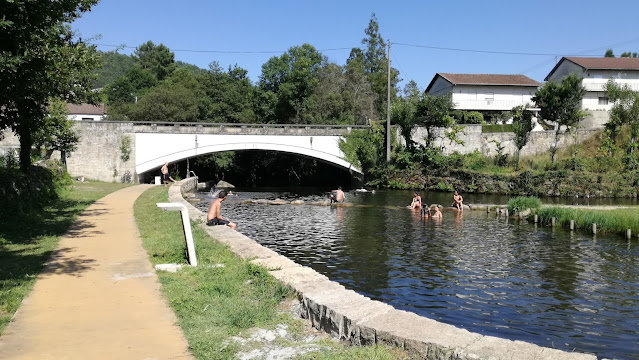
<point>474,139</point>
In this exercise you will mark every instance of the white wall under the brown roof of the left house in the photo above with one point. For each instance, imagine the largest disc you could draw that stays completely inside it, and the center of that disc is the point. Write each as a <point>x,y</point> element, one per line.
<point>501,98</point>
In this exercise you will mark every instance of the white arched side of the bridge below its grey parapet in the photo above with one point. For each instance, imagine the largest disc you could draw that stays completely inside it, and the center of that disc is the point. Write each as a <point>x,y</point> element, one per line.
<point>152,150</point>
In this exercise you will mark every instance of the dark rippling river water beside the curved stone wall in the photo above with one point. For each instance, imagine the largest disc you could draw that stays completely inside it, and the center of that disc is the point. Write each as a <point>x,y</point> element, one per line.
<point>486,274</point>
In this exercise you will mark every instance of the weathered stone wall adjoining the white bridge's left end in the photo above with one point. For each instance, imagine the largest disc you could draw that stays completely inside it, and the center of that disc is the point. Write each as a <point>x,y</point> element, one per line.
<point>98,155</point>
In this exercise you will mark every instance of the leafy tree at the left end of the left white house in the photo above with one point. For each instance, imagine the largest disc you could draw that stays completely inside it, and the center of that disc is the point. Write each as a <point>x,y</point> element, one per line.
<point>434,112</point>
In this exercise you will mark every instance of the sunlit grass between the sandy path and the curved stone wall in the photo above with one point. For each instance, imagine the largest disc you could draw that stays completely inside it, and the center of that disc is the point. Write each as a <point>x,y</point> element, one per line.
<point>215,303</point>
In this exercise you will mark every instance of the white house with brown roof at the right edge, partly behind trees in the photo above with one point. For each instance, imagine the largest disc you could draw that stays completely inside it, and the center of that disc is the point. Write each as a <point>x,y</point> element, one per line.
<point>595,73</point>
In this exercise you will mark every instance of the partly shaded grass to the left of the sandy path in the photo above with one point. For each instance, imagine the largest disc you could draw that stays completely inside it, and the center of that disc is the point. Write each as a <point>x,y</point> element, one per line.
<point>27,240</point>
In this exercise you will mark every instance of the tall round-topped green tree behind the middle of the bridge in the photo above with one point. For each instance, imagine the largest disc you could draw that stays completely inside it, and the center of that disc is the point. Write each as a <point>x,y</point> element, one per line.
<point>293,78</point>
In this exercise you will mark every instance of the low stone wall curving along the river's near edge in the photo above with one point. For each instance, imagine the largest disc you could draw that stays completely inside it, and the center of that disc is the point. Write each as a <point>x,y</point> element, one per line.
<point>359,320</point>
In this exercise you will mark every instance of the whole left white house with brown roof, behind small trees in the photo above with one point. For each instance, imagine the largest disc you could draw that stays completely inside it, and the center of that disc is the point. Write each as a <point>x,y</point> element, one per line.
<point>485,92</point>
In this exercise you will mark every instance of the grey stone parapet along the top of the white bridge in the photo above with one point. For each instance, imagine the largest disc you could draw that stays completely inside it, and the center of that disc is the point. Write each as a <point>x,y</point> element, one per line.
<point>243,129</point>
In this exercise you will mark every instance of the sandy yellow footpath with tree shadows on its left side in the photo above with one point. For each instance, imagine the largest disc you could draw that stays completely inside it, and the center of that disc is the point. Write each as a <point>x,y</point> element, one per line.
<point>98,297</point>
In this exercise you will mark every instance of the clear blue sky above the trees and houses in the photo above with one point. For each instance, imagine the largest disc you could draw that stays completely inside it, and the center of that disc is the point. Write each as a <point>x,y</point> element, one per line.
<point>234,32</point>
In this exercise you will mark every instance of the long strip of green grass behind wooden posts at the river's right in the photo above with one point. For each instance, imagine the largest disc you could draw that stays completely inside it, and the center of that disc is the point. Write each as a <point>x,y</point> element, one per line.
<point>608,221</point>
